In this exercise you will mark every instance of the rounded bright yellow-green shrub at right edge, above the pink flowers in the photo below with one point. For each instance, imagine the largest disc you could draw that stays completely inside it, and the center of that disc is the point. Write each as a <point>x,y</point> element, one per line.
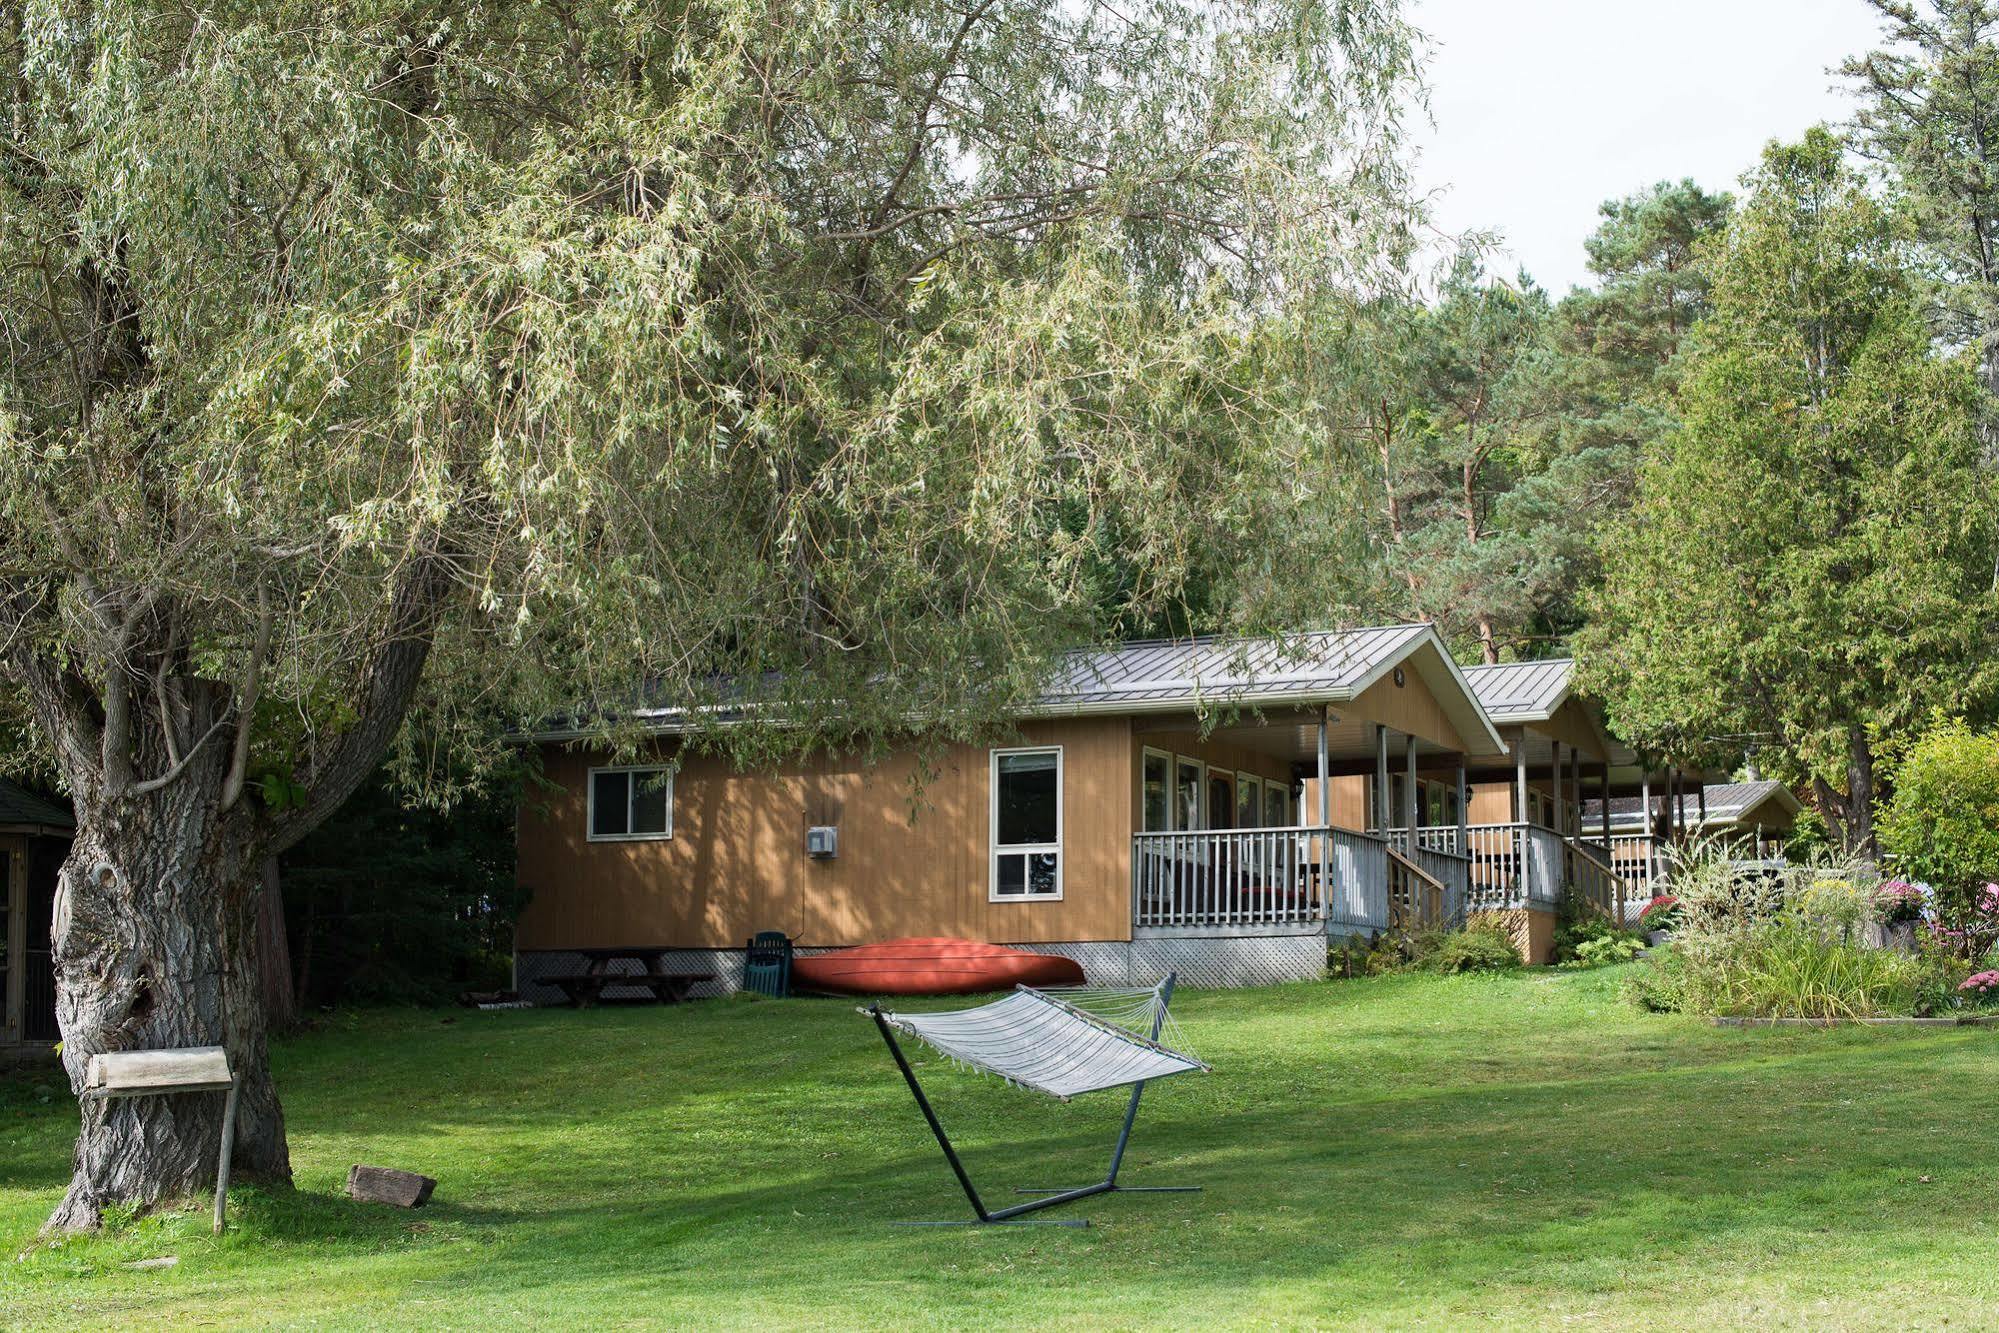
<point>1942,828</point>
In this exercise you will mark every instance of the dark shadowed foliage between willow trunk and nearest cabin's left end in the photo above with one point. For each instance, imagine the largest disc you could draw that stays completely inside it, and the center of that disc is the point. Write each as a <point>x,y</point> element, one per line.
<point>393,904</point>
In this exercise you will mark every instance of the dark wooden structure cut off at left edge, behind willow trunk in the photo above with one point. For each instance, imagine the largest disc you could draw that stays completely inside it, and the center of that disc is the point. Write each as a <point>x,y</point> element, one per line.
<point>35,838</point>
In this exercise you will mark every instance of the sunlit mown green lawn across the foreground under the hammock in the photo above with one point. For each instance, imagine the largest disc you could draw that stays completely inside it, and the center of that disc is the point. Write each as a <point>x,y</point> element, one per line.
<point>1514,1150</point>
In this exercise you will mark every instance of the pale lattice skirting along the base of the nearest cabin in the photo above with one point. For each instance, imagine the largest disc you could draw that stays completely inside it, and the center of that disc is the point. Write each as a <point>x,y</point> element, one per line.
<point>1198,960</point>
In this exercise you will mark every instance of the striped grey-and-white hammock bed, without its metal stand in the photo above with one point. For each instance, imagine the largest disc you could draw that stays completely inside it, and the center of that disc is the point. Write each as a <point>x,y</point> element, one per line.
<point>1052,1046</point>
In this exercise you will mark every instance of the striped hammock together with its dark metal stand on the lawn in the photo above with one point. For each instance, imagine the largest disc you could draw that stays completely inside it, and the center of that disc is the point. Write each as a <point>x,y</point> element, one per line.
<point>1042,1042</point>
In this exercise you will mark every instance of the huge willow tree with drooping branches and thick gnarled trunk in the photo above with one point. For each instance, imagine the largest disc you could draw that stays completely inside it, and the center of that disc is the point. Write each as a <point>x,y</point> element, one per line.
<point>379,359</point>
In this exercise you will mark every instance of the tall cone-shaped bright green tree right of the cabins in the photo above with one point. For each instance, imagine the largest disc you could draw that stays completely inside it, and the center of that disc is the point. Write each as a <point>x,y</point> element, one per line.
<point>1812,551</point>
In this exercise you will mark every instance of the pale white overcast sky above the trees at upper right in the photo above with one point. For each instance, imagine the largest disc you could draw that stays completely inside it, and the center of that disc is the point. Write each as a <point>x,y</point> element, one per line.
<point>1550,107</point>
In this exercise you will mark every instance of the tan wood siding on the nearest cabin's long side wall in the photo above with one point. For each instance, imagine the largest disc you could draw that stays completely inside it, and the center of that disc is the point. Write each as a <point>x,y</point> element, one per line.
<point>913,862</point>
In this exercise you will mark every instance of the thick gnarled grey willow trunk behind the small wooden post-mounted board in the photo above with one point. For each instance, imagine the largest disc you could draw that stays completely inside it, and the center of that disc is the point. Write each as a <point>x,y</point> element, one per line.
<point>155,942</point>
